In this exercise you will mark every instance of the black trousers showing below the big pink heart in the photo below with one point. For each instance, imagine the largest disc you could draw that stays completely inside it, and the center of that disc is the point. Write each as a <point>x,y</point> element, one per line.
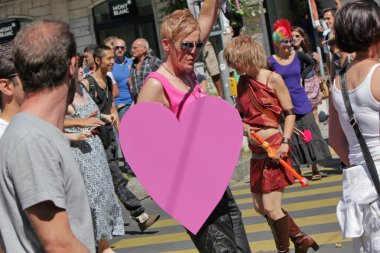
<point>223,231</point>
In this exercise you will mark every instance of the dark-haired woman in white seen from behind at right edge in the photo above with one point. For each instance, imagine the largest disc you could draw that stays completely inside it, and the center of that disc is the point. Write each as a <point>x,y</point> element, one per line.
<point>357,29</point>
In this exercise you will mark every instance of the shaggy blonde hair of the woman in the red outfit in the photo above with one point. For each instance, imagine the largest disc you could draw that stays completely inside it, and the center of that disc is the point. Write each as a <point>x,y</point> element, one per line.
<point>243,50</point>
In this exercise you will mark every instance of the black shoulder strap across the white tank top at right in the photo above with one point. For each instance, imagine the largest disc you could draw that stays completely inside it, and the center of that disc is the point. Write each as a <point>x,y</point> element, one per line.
<point>354,123</point>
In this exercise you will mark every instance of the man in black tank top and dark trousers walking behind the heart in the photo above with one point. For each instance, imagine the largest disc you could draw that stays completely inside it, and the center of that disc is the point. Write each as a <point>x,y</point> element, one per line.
<point>99,86</point>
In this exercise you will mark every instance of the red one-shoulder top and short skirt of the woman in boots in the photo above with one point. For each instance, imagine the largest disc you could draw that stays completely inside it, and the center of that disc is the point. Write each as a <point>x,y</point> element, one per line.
<point>266,174</point>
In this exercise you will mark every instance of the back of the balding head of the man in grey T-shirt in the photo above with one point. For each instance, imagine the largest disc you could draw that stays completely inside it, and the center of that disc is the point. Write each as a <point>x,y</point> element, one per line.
<point>42,52</point>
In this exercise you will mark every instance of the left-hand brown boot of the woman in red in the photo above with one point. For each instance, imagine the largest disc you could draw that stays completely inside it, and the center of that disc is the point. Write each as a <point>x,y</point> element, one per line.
<point>280,233</point>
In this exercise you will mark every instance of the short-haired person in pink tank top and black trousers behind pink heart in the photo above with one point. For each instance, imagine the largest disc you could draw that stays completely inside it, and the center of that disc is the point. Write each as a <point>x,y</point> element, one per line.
<point>174,85</point>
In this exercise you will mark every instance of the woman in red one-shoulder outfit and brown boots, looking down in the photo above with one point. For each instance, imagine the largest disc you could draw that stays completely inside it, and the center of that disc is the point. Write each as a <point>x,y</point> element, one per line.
<point>258,85</point>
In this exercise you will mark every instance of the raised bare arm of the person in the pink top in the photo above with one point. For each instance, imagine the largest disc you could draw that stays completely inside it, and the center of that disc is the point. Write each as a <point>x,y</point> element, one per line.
<point>208,16</point>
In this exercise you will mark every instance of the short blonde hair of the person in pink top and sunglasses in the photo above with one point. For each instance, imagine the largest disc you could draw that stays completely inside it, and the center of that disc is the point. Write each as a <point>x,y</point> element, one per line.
<point>178,25</point>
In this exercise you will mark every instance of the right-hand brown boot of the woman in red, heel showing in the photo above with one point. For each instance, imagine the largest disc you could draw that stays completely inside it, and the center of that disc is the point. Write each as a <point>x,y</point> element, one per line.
<point>302,242</point>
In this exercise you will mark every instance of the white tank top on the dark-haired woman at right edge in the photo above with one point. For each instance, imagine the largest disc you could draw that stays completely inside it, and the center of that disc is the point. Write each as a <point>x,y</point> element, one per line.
<point>366,110</point>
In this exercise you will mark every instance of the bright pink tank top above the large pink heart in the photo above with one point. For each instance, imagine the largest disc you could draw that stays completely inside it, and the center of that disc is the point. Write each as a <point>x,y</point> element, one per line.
<point>178,99</point>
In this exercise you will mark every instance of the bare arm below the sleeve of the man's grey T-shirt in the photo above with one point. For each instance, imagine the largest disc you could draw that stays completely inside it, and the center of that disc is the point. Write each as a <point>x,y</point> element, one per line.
<point>51,224</point>
